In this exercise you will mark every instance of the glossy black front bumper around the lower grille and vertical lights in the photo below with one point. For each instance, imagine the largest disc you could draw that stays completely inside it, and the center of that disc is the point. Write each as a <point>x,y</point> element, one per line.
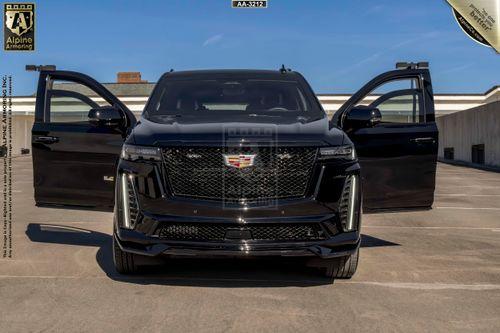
<point>157,207</point>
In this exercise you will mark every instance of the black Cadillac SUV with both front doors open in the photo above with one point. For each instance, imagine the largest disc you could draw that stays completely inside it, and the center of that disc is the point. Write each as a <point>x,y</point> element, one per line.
<point>236,162</point>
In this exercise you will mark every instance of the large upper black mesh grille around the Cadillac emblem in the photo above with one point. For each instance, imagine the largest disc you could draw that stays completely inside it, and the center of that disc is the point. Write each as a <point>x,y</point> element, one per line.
<point>277,172</point>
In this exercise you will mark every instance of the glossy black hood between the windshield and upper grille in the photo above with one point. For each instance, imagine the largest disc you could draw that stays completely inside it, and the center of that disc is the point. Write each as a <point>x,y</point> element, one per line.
<point>203,131</point>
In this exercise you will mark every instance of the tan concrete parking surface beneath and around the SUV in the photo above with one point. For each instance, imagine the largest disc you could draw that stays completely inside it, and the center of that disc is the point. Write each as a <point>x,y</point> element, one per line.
<point>436,270</point>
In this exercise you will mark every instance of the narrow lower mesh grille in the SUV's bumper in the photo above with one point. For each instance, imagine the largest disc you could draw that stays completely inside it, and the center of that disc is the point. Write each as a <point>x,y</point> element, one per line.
<point>221,232</point>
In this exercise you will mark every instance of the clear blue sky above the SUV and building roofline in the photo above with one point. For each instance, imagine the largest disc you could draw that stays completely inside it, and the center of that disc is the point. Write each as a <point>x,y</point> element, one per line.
<point>338,45</point>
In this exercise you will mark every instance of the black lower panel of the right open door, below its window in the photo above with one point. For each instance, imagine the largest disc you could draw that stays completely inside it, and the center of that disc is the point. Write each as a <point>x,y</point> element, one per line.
<point>397,171</point>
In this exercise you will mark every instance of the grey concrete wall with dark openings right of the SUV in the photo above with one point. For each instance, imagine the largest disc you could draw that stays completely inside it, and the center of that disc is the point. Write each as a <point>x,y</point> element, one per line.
<point>479,125</point>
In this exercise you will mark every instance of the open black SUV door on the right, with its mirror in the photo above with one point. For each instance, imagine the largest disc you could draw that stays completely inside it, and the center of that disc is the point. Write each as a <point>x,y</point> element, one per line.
<point>396,138</point>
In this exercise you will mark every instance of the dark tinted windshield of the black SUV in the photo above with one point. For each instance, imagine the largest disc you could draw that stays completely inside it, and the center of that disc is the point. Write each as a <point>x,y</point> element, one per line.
<point>252,97</point>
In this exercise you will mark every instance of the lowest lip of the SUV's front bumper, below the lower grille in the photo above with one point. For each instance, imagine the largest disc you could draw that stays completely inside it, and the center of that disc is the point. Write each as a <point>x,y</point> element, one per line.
<point>135,242</point>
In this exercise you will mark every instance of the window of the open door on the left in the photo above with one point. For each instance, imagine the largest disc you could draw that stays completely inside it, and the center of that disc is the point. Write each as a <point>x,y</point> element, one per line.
<point>71,103</point>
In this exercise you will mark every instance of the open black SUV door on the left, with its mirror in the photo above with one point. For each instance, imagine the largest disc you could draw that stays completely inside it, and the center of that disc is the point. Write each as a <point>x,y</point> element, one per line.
<point>77,137</point>
